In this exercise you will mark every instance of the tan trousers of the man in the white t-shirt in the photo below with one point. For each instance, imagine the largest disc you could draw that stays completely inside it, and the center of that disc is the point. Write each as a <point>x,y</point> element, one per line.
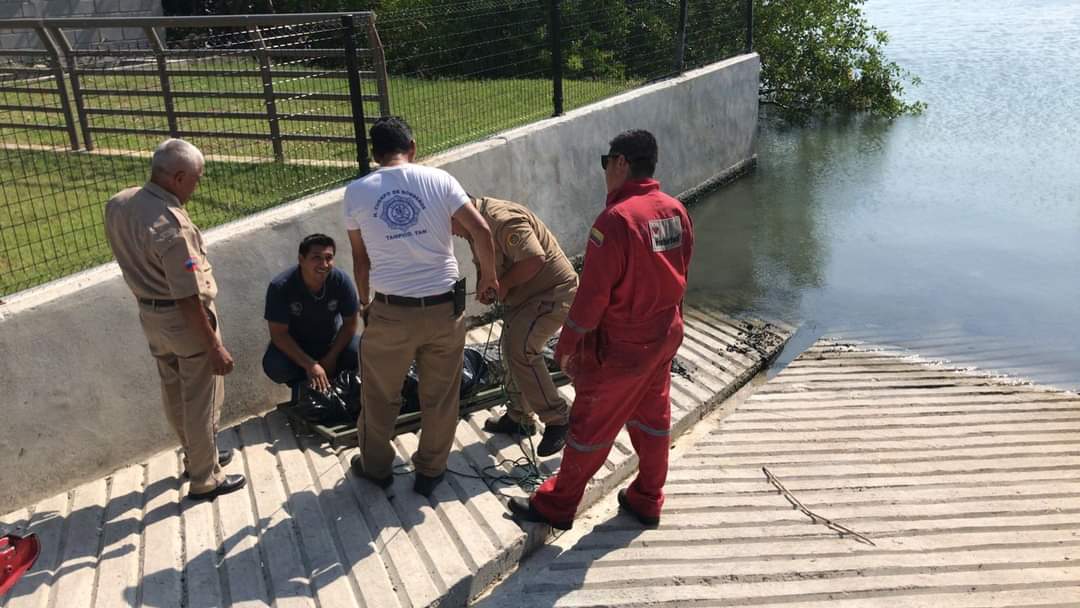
<point>396,336</point>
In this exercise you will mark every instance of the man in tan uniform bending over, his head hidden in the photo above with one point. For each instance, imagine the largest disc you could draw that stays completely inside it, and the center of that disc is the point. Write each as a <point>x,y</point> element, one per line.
<point>536,286</point>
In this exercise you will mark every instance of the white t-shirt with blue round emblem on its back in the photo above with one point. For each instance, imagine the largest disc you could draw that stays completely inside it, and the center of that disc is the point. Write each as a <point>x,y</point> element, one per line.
<point>403,213</point>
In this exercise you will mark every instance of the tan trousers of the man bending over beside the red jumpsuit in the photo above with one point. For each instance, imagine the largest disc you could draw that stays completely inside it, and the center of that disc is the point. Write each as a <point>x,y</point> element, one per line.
<point>526,330</point>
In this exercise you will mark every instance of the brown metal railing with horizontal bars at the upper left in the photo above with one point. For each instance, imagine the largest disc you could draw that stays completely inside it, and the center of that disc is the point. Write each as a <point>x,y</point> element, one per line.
<point>279,55</point>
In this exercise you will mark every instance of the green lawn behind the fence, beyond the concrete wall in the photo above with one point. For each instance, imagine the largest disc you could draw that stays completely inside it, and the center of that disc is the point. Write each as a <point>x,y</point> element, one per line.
<point>51,202</point>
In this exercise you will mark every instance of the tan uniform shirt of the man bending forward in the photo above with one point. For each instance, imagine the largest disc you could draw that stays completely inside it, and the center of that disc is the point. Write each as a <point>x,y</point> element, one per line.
<point>520,235</point>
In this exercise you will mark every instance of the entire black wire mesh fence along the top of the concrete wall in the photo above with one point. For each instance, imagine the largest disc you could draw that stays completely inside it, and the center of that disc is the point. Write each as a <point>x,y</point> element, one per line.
<point>280,103</point>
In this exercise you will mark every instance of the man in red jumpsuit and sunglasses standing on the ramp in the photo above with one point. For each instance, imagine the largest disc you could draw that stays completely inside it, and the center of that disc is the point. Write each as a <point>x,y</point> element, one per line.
<point>620,337</point>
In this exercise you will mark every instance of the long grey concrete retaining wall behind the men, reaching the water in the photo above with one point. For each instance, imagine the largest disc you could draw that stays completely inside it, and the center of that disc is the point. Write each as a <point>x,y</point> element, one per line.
<point>78,389</point>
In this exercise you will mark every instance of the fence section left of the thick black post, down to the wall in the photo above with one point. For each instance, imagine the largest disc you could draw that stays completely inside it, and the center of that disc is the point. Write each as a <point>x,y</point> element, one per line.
<point>269,99</point>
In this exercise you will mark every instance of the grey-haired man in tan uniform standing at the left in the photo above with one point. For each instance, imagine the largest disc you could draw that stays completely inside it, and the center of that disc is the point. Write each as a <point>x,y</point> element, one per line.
<point>164,261</point>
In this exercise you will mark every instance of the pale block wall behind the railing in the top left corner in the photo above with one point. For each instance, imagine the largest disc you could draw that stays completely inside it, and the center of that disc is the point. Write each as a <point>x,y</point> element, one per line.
<point>80,38</point>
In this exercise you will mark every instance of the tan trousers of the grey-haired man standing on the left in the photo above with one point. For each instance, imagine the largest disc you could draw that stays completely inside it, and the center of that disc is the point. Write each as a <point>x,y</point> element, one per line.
<point>192,394</point>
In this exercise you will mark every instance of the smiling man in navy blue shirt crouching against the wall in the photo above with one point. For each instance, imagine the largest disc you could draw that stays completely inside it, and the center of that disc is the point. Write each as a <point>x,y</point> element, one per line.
<point>313,314</point>
